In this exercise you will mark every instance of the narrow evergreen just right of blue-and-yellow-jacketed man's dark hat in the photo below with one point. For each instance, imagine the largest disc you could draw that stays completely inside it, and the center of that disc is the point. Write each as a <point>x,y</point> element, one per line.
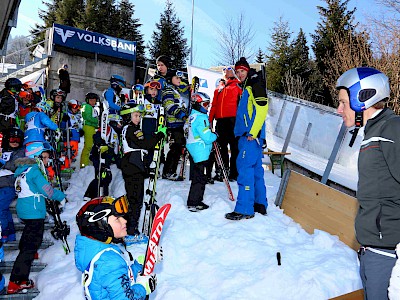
<point>278,56</point>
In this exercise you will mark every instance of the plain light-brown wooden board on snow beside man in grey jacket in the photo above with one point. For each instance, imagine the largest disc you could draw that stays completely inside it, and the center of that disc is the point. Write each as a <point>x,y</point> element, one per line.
<point>317,206</point>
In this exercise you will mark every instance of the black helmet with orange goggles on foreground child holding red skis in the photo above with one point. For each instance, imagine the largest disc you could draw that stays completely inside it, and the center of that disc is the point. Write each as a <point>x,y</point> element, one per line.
<point>92,218</point>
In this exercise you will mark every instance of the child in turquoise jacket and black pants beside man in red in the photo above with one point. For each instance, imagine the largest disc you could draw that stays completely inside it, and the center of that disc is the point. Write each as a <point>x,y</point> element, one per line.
<point>199,145</point>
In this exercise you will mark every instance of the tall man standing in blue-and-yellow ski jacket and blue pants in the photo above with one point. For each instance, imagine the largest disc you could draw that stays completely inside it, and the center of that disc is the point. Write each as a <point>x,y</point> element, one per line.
<point>250,129</point>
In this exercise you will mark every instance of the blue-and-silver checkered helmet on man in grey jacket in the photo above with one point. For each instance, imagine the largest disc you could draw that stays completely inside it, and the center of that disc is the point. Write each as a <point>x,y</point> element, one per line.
<point>366,86</point>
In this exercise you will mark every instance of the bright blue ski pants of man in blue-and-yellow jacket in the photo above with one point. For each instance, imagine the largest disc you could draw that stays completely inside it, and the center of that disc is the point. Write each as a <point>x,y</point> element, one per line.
<point>251,177</point>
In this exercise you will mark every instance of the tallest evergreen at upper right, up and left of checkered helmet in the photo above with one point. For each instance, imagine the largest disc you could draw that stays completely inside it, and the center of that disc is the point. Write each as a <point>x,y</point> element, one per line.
<point>336,20</point>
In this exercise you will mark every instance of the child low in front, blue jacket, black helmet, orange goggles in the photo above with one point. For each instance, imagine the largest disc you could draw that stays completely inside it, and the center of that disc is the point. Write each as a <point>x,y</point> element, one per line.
<point>107,274</point>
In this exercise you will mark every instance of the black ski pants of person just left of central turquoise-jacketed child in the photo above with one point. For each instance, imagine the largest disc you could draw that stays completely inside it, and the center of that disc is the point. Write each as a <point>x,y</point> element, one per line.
<point>175,150</point>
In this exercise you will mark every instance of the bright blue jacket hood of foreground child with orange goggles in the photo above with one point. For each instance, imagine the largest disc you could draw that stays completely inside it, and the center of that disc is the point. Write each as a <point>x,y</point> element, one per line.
<point>86,249</point>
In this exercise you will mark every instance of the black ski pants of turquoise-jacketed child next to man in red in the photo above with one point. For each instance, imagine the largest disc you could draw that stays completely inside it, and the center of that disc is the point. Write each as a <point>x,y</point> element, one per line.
<point>198,185</point>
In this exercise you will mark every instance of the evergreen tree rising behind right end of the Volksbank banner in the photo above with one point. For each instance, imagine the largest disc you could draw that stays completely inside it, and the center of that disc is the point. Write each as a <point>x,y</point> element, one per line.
<point>129,29</point>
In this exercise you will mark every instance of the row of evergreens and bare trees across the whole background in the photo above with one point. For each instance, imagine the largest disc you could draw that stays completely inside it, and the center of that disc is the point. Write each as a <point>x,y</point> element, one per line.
<point>338,43</point>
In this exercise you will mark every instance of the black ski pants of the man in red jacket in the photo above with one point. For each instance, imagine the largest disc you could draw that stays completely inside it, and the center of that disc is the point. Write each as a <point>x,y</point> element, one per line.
<point>224,129</point>
